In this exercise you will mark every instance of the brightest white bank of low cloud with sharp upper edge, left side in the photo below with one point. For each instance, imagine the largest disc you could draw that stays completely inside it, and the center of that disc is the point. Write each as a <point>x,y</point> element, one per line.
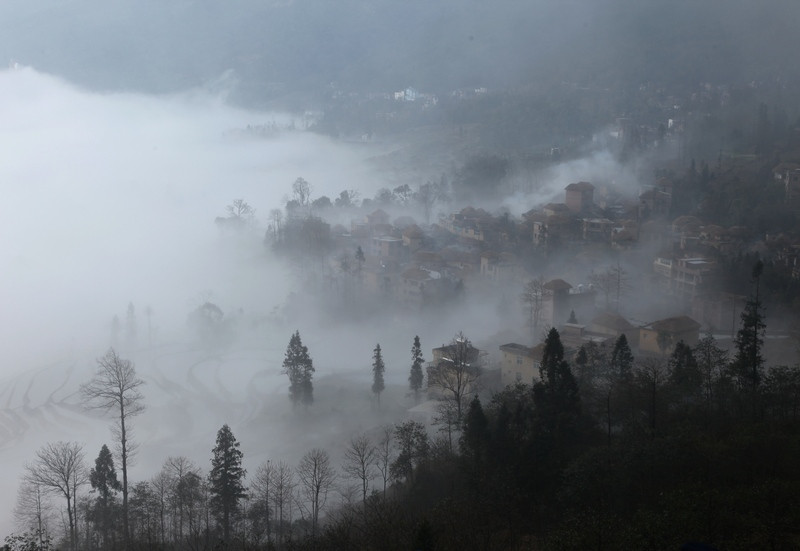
<point>110,199</point>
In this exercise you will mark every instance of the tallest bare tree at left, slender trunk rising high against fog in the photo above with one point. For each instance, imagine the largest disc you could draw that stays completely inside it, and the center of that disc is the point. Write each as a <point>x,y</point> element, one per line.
<point>115,387</point>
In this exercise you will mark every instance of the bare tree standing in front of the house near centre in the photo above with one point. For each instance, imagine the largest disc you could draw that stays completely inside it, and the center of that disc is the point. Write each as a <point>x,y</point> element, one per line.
<point>457,373</point>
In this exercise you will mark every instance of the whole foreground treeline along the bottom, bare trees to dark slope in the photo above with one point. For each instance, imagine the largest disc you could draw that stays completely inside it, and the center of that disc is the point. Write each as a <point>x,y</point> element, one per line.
<point>604,451</point>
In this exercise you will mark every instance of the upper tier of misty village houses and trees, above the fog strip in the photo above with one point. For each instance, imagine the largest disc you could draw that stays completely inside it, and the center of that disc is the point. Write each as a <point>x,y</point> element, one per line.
<point>417,268</point>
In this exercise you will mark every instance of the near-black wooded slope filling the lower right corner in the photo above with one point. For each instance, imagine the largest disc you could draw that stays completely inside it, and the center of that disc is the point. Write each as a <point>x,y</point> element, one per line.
<point>606,452</point>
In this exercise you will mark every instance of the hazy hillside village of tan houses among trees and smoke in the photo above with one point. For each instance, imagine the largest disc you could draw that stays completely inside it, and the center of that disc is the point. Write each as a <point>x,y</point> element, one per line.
<point>575,258</point>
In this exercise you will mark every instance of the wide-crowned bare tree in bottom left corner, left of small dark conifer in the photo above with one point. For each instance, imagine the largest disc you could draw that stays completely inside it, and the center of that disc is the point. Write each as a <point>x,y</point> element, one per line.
<point>60,468</point>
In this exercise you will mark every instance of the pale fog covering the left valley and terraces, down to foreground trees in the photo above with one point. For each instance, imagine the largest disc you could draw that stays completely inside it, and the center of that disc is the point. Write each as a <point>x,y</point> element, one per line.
<point>110,200</point>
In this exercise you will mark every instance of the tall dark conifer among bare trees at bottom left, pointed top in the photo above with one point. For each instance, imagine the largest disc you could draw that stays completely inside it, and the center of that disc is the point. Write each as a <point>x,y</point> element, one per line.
<point>226,480</point>
